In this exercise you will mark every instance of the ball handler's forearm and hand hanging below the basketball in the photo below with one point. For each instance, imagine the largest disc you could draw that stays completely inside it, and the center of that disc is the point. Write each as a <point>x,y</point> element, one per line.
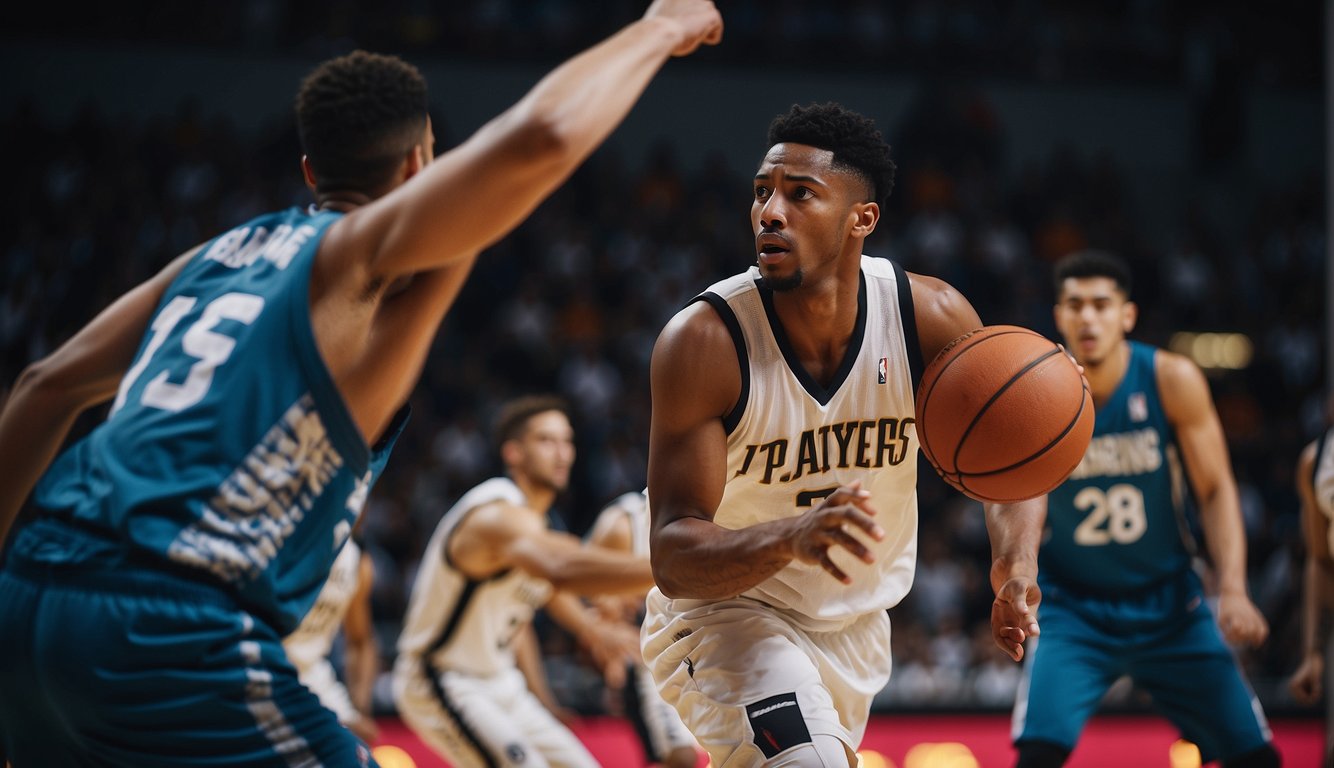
<point>1016,533</point>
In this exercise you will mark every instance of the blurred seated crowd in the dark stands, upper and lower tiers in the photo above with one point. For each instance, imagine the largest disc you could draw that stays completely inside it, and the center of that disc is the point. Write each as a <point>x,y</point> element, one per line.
<point>572,303</point>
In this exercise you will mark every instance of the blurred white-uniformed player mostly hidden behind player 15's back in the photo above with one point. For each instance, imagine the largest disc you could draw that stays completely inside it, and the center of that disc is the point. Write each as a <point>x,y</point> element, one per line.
<point>344,603</point>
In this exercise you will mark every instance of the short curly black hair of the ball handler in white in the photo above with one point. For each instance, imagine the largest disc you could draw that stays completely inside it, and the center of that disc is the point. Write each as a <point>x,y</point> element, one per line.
<point>854,141</point>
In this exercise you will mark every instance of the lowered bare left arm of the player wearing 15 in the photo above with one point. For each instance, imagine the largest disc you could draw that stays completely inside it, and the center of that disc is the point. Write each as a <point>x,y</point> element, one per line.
<point>54,391</point>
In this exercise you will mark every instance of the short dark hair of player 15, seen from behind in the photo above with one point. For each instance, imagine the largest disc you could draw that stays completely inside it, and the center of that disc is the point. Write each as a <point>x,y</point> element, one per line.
<point>358,115</point>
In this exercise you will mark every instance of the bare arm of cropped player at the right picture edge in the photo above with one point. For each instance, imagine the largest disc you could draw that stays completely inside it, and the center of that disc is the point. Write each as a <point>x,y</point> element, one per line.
<point>1308,683</point>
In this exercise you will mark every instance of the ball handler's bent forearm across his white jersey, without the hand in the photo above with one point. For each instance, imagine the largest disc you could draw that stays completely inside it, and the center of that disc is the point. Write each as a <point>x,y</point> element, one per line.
<point>700,559</point>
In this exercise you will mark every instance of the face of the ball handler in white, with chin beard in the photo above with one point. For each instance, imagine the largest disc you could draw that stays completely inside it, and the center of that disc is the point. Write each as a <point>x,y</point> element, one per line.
<point>802,214</point>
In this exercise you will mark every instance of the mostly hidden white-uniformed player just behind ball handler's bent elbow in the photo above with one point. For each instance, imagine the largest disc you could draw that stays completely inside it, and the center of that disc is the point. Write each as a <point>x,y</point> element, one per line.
<point>624,526</point>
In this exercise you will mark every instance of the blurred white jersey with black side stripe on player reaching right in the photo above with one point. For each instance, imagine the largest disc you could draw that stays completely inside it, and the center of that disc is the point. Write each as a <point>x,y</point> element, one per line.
<point>462,625</point>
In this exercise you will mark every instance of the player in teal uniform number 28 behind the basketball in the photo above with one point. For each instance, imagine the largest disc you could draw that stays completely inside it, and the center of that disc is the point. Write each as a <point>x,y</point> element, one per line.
<point>1120,591</point>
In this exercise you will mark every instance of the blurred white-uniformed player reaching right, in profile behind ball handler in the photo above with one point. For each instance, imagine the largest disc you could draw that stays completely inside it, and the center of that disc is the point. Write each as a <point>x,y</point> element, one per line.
<point>490,565</point>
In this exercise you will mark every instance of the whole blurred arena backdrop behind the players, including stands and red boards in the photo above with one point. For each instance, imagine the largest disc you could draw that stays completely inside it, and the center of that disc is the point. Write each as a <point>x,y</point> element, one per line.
<point>1188,137</point>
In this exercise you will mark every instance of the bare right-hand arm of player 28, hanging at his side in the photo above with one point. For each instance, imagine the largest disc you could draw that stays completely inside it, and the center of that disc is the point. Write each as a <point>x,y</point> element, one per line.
<point>1191,410</point>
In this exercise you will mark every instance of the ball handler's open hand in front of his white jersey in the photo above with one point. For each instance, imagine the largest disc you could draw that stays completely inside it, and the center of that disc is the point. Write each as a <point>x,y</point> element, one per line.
<point>829,526</point>
